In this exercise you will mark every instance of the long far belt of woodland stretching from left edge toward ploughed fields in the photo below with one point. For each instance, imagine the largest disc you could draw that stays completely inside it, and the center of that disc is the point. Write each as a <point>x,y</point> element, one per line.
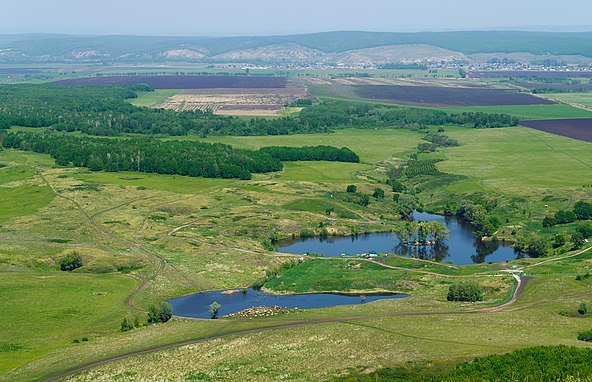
<point>103,110</point>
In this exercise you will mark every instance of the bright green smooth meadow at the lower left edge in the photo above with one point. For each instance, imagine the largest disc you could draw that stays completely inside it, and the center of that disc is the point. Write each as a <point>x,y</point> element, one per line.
<point>55,308</point>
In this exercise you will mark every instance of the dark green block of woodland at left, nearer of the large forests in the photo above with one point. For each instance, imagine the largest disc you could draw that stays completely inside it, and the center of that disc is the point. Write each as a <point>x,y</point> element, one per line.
<point>146,155</point>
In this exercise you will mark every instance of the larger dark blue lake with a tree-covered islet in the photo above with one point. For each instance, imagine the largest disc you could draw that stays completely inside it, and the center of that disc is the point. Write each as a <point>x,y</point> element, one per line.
<point>461,247</point>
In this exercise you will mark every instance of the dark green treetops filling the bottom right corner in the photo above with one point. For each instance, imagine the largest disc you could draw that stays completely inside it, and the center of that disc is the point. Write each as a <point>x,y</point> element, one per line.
<point>542,363</point>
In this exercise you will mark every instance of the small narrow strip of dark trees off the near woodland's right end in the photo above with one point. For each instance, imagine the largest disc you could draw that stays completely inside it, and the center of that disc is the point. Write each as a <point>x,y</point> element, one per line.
<point>326,153</point>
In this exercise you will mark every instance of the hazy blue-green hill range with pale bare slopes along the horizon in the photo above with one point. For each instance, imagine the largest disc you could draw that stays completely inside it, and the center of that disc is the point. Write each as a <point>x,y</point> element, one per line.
<point>369,47</point>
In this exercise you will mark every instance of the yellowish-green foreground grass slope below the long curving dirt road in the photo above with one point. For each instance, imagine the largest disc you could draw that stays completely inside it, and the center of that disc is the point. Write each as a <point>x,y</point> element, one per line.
<point>321,351</point>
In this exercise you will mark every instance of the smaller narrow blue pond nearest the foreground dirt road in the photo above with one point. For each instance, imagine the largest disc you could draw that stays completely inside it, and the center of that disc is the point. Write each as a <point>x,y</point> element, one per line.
<point>197,305</point>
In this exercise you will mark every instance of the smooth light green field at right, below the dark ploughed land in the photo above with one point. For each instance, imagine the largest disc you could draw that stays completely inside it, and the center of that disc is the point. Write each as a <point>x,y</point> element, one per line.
<point>517,161</point>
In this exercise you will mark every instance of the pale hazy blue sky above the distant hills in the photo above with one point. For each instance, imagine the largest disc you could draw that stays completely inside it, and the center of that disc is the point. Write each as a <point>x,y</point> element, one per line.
<point>247,17</point>
